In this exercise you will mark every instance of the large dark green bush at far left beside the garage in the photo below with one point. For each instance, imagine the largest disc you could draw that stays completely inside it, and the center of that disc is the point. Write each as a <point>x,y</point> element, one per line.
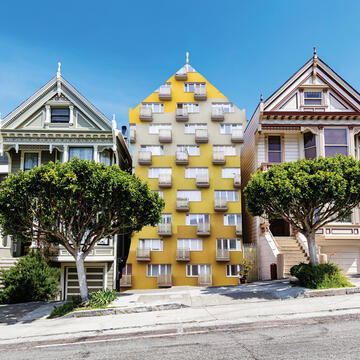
<point>31,279</point>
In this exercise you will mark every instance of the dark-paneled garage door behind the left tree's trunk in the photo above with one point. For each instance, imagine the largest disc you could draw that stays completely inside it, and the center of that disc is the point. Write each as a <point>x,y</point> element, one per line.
<point>95,276</point>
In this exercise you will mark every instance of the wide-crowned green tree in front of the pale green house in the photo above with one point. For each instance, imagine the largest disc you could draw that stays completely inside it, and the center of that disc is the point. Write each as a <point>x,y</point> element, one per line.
<point>76,204</point>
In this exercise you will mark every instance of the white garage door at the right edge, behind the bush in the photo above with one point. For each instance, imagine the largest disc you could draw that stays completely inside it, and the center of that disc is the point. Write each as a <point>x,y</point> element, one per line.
<point>347,257</point>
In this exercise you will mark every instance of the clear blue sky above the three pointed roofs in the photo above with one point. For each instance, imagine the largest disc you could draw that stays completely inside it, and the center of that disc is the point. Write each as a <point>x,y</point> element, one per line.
<point>117,52</point>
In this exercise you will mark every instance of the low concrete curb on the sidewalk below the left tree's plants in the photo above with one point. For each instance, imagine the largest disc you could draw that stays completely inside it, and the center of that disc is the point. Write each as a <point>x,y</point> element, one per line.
<point>118,311</point>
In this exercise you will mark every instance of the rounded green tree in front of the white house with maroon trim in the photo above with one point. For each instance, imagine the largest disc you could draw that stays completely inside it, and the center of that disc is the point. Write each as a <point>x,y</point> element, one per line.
<point>308,194</point>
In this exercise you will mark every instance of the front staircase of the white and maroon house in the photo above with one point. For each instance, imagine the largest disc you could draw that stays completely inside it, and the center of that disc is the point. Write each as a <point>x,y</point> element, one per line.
<point>293,252</point>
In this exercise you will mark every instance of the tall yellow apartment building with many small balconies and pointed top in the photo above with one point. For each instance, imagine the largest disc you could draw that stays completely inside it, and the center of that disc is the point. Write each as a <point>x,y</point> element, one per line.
<point>186,139</point>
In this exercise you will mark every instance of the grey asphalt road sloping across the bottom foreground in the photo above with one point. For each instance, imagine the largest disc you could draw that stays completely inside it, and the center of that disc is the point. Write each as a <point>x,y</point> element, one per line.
<point>325,339</point>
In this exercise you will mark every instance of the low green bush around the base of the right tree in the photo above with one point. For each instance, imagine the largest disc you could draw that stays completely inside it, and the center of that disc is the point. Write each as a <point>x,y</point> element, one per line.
<point>323,276</point>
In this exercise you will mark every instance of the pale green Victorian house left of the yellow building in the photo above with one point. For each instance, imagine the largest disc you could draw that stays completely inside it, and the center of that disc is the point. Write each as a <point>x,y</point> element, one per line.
<point>56,124</point>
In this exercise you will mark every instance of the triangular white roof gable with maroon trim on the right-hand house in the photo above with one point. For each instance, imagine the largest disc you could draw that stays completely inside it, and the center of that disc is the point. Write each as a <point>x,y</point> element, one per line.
<point>314,77</point>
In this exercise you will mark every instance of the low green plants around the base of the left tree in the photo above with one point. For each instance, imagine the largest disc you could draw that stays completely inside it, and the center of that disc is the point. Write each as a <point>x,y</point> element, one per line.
<point>98,300</point>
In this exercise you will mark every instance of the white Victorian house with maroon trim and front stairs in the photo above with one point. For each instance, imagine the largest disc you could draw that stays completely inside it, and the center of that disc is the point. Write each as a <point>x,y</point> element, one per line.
<point>314,113</point>
